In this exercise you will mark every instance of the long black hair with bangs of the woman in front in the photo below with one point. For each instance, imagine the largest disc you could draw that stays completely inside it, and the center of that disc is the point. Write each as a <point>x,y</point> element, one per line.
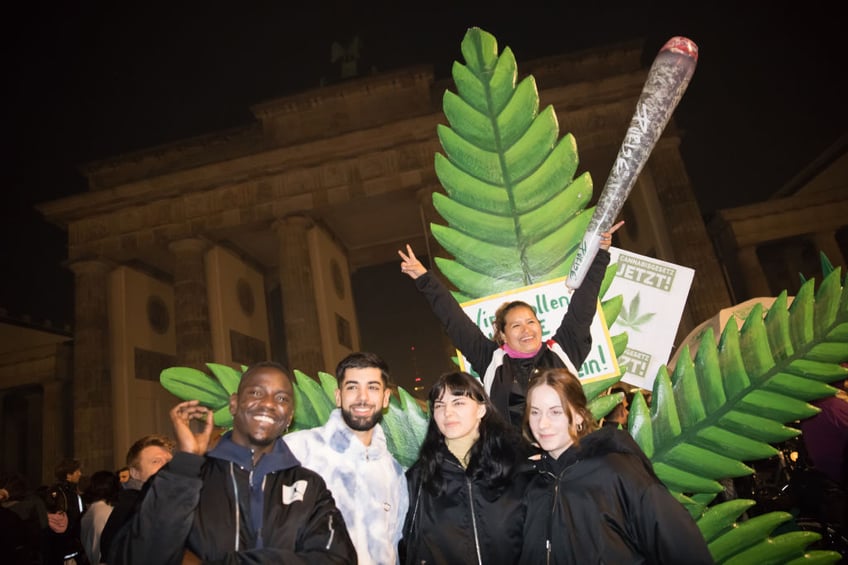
<point>494,455</point>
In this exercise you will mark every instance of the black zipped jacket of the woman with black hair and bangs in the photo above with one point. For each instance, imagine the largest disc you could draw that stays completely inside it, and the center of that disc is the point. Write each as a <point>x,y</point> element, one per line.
<point>469,523</point>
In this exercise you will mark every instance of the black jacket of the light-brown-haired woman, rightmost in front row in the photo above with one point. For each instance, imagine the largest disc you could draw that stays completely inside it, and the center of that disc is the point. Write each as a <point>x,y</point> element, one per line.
<point>601,502</point>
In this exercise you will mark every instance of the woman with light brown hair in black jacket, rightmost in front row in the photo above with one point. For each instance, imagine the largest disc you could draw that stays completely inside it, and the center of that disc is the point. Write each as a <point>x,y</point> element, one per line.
<point>595,498</point>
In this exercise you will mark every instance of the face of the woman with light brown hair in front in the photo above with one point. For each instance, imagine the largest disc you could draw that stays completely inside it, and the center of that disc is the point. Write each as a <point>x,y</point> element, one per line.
<point>551,420</point>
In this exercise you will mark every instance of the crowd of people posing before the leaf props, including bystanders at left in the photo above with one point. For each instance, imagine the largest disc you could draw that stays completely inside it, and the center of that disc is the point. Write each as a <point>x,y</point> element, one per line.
<point>513,468</point>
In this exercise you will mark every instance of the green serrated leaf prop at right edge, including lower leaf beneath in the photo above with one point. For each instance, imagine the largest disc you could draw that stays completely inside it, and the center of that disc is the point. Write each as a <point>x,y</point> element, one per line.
<point>728,404</point>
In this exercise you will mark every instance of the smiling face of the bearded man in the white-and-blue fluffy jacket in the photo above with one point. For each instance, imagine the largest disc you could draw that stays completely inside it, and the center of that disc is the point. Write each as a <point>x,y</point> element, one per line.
<point>362,397</point>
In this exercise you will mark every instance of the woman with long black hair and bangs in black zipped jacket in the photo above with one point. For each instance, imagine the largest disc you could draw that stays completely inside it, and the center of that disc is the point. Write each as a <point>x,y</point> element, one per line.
<point>466,489</point>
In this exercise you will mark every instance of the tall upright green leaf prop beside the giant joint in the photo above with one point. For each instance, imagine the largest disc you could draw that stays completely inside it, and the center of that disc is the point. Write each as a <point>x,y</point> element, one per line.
<point>515,212</point>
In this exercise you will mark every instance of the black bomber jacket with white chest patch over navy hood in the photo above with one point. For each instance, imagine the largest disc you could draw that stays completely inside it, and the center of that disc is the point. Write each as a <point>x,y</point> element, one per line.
<point>225,510</point>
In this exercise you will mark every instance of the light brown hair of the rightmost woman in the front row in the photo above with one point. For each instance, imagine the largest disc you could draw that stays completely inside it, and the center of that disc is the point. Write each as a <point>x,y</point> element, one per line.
<point>570,391</point>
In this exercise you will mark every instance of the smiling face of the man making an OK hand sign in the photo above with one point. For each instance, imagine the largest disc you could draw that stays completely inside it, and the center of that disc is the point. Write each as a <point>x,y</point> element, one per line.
<point>262,409</point>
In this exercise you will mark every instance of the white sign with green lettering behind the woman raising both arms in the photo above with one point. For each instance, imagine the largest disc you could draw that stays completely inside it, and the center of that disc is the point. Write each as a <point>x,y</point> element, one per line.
<point>550,300</point>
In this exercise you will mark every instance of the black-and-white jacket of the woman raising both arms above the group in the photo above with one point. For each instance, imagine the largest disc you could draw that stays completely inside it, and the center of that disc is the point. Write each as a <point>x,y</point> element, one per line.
<point>505,378</point>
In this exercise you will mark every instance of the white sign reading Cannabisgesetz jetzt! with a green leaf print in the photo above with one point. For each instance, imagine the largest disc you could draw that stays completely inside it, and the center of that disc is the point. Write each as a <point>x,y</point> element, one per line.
<point>654,295</point>
